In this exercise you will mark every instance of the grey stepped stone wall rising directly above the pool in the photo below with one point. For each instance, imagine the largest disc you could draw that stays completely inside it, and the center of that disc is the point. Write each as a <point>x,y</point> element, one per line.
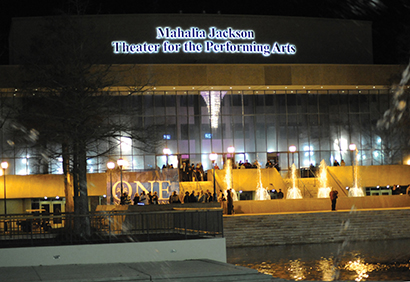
<point>316,227</point>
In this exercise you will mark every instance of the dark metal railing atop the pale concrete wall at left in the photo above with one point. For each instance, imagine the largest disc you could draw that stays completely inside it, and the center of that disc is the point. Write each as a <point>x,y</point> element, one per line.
<point>107,227</point>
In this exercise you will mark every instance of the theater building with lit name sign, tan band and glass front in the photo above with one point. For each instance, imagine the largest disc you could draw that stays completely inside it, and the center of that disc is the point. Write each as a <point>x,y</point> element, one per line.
<point>257,83</point>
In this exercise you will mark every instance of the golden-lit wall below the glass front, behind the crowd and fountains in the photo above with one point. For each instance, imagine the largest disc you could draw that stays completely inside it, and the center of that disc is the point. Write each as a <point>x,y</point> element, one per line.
<point>52,185</point>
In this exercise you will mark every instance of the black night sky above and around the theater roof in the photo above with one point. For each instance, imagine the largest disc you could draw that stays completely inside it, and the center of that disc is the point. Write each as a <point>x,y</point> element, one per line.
<point>391,18</point>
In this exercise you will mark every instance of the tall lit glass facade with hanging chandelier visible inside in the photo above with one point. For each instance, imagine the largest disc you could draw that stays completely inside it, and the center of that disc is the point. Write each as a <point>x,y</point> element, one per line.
<point>259,124</point>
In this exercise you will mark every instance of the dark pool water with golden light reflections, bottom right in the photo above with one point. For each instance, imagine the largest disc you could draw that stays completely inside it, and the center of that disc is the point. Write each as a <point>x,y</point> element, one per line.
<point>360,261</point>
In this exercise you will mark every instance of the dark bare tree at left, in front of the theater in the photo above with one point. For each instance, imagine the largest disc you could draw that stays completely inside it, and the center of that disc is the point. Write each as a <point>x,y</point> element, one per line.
<point>67,97</point>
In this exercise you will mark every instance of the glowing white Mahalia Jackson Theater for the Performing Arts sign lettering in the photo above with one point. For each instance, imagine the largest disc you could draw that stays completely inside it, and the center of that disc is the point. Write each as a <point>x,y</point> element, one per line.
<point>216,40</point>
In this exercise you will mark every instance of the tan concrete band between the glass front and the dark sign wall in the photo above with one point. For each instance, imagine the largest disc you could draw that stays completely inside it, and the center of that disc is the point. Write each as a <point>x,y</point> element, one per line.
<point>186,76</point>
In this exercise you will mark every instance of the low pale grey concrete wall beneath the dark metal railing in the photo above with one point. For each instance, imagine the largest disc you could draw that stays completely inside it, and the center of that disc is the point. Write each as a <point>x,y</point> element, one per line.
<point>213,249</point>
